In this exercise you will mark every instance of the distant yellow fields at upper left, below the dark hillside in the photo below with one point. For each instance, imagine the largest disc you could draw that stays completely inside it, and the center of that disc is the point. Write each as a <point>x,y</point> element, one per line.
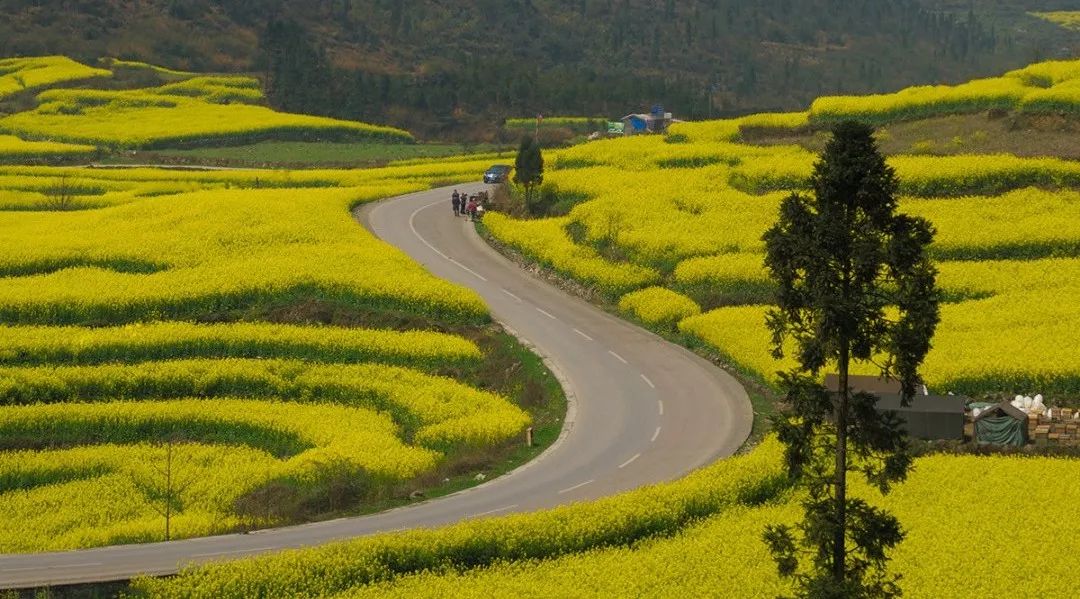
<point>186,111</point>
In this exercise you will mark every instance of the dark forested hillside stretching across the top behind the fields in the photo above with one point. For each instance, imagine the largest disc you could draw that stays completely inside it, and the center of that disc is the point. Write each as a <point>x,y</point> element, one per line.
<point>442,66</point>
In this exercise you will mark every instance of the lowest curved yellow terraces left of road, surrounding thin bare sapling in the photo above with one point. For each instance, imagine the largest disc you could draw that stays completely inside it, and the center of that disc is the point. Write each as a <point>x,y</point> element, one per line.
<point>292,447</point>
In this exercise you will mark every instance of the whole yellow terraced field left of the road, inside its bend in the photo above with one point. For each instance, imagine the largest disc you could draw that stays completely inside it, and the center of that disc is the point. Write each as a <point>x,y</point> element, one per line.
<point>145,323</point>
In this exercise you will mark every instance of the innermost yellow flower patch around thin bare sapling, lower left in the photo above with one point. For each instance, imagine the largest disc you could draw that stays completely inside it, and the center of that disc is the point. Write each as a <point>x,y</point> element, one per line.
<point>98,496</point>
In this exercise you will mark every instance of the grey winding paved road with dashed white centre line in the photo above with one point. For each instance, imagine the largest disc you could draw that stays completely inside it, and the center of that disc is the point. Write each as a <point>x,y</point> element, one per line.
<point>643,412</point>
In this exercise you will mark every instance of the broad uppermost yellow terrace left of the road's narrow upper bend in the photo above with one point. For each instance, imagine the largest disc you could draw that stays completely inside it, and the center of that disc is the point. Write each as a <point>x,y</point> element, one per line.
<point>295,244</point>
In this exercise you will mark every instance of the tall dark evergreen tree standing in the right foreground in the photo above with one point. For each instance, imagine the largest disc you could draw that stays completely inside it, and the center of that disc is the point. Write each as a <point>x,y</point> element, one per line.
<point>855,284</point>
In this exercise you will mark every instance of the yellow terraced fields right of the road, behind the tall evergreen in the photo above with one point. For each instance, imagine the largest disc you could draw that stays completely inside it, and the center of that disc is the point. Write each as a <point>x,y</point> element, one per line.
<point>671,232</point>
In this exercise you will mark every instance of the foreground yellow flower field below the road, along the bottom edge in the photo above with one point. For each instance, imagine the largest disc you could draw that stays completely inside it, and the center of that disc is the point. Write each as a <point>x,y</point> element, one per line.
<point>699,537</point>
